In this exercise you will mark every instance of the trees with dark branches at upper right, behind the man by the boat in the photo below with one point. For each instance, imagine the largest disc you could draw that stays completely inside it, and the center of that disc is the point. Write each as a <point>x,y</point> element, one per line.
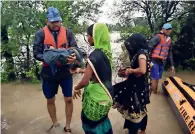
<point>179,13</point>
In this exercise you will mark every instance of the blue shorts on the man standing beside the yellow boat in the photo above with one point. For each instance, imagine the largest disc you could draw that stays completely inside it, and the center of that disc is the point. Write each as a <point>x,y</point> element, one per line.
<point>157,71</point>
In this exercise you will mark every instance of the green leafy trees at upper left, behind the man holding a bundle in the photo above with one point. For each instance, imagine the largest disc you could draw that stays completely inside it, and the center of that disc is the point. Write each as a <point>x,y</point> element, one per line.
<point>21,19</point>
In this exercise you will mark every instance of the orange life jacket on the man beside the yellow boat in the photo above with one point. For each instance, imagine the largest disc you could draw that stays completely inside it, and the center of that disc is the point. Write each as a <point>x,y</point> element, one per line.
<point>162,49</point>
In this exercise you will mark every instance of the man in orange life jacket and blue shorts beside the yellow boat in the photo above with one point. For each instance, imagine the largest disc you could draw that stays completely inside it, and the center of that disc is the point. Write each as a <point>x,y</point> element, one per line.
<point>160,49</point>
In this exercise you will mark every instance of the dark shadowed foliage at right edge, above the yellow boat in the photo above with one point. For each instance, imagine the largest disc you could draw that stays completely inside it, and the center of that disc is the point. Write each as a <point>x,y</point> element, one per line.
<point>186,41</point>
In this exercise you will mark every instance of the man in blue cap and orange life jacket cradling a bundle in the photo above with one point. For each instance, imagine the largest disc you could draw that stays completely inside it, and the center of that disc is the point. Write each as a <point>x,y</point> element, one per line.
<point>54,35</point>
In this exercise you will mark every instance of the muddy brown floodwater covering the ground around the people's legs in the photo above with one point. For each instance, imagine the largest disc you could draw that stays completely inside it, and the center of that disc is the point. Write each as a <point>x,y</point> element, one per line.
<point>24,111</point>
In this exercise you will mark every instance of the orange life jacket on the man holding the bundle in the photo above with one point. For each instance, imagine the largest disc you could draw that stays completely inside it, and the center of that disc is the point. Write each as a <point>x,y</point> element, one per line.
<point>62,41</point>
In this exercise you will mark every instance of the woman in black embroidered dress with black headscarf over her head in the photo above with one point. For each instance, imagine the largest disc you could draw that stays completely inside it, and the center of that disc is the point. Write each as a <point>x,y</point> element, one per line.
<point>132,95</point>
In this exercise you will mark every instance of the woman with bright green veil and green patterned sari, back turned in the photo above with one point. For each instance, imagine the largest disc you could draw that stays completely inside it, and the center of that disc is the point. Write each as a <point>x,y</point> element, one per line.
<point>97,96</point>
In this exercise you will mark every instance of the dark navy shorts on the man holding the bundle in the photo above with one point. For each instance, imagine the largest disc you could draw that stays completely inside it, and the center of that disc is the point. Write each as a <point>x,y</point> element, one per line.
<point>50,87</point>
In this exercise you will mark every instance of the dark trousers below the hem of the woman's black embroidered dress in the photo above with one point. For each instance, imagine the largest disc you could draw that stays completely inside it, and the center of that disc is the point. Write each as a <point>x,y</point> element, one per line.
<point>134,127</point>
